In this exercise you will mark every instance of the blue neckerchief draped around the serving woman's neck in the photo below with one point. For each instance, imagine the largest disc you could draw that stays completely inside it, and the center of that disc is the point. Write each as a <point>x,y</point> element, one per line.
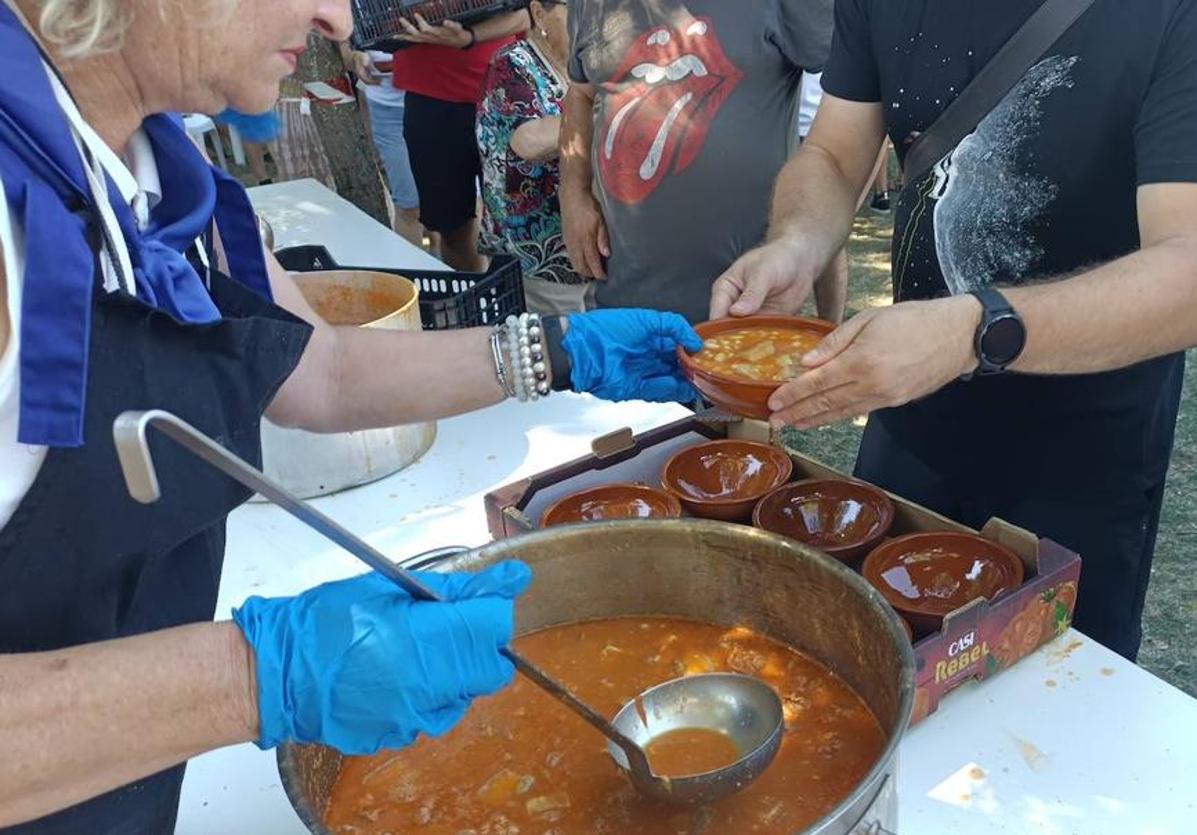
<point>47,192</point>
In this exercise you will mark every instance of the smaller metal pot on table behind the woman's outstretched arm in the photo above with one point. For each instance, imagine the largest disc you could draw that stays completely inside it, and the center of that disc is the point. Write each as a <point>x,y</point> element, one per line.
<point>315,465</point>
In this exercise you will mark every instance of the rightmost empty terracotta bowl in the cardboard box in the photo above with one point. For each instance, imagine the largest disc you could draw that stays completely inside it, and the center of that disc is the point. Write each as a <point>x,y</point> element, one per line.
<point>927,576</point>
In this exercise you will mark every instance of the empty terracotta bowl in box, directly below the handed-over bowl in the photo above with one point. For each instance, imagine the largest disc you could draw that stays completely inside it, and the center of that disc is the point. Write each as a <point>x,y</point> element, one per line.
<point>726,479</point>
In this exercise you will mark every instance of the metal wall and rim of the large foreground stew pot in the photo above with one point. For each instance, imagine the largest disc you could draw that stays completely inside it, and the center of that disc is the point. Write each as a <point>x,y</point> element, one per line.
<point>706,571</point>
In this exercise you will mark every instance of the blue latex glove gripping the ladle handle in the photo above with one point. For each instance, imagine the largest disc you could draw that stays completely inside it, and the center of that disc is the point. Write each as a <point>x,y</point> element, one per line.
<point>360,666</point>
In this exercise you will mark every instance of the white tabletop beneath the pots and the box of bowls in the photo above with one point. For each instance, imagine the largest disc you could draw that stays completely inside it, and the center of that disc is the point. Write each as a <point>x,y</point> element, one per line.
<point>1073,741</point>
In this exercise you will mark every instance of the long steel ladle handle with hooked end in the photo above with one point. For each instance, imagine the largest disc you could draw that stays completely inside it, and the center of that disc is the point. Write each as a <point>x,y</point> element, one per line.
<point>142,479</point>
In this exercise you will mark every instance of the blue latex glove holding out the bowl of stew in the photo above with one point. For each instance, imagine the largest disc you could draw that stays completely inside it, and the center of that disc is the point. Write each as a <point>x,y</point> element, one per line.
<point>630,355</point>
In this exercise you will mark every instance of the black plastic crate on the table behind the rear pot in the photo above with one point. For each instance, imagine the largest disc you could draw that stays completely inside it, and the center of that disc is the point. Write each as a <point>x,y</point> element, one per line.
<point>448,301</point>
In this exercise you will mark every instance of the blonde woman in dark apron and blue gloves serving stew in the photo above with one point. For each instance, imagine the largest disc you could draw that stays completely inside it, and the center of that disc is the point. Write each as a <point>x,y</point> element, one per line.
<point>132,277</point>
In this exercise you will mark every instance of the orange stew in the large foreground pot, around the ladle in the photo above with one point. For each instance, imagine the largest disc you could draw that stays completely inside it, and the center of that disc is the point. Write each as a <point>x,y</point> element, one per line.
<point>520,764</point>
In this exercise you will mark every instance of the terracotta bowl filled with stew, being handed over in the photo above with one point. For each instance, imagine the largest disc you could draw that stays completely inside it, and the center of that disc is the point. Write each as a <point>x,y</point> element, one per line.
<point>745,361</point>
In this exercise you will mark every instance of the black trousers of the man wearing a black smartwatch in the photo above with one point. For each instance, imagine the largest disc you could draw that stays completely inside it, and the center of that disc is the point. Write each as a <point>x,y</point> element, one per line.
<point>1115,537</point>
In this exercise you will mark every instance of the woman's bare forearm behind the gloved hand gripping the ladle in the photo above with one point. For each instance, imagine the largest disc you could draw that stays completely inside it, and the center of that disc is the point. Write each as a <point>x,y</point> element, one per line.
<point>81,722</point>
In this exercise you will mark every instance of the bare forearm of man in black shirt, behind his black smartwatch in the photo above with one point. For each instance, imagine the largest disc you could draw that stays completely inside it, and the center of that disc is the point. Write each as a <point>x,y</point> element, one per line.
<point>1131,310</point>
